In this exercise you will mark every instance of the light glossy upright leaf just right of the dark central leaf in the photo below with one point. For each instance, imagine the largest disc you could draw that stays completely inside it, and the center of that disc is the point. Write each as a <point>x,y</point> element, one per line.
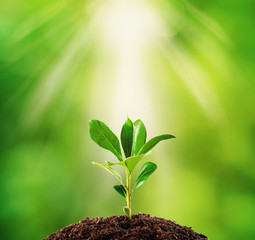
<point>139,136</point>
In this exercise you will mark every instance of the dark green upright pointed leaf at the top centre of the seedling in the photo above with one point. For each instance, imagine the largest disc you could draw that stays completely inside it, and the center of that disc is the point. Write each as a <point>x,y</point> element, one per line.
<point>127,137</point>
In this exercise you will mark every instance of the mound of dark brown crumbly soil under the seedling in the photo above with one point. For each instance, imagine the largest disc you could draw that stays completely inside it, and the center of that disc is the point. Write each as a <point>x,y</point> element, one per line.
<point>141,226</point>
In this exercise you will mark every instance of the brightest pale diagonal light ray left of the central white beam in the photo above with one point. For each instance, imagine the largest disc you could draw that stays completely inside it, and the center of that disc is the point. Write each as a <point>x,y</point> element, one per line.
<point>53,80</point>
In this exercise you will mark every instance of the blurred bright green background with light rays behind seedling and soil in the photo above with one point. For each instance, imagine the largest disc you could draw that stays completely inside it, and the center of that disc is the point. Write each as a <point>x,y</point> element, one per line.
<point>183,67</point>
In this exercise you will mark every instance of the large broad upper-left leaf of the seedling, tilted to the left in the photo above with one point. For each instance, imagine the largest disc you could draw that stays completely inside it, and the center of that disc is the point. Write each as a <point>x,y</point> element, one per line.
<point>104,137</point>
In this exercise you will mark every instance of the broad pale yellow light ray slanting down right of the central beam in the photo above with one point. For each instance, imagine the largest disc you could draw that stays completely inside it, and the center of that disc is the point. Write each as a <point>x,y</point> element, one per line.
<point>197,81</point>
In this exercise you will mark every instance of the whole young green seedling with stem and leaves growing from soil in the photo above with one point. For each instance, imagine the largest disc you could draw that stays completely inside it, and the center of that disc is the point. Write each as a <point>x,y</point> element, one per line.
<point>135,148</point>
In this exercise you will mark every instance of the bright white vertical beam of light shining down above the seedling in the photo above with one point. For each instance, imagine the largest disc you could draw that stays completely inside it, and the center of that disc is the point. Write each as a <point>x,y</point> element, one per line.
<point>128,28</point>
